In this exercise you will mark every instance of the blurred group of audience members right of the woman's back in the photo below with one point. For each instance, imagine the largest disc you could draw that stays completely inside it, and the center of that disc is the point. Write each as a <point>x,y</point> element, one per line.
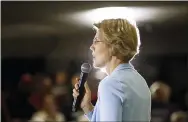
<point>162,109</point>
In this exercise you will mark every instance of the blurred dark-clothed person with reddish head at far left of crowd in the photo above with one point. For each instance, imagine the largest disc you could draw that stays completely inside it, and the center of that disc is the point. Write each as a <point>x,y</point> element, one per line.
<point>17,100</point>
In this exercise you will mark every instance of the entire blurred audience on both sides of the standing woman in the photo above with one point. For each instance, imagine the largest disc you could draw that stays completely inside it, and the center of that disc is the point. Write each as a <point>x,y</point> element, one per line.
<point>44,97</point>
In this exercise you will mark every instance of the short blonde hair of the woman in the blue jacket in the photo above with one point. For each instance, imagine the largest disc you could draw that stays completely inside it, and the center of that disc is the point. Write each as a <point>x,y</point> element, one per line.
<point>122,37</point>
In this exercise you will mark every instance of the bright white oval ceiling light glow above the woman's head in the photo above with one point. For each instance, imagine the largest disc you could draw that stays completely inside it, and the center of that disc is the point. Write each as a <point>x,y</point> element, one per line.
<point>139,14</point>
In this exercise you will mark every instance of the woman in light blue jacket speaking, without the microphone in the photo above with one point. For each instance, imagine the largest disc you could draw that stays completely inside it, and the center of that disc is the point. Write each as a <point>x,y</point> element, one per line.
<point>123,95</point>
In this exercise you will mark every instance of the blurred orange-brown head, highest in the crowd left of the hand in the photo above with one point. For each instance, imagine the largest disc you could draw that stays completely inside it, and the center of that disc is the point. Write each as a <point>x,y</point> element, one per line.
<point>61,77</point>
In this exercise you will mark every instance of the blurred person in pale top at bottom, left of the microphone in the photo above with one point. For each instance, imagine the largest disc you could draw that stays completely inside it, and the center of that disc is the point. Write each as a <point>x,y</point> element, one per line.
<point>49,111</point>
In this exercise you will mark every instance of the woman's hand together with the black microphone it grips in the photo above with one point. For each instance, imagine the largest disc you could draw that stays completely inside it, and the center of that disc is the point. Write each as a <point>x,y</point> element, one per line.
<point>81,92</point>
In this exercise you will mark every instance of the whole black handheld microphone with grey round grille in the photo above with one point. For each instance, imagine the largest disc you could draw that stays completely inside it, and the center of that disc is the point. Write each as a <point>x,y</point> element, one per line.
<point>85,69</point>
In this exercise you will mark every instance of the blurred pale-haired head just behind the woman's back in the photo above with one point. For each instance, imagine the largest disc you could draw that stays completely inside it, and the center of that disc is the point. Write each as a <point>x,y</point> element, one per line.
<point>160,91</point>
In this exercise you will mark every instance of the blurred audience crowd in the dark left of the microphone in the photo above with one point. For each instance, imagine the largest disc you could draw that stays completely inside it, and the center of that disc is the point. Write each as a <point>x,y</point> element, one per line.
<point>41,97</point>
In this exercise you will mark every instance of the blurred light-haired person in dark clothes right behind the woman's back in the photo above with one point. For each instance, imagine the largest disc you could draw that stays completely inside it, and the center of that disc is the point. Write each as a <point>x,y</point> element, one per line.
<point>161,108</point>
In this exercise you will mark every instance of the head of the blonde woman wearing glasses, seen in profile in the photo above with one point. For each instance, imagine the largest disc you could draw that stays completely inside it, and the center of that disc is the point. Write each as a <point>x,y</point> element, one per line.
<point>116,40</point>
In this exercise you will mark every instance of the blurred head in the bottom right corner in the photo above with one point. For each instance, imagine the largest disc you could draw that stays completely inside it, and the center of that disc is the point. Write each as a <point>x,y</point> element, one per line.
<point>179,116</point>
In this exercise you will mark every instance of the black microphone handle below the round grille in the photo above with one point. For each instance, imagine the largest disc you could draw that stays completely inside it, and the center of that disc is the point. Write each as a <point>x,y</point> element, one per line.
<point>77,101</point>
